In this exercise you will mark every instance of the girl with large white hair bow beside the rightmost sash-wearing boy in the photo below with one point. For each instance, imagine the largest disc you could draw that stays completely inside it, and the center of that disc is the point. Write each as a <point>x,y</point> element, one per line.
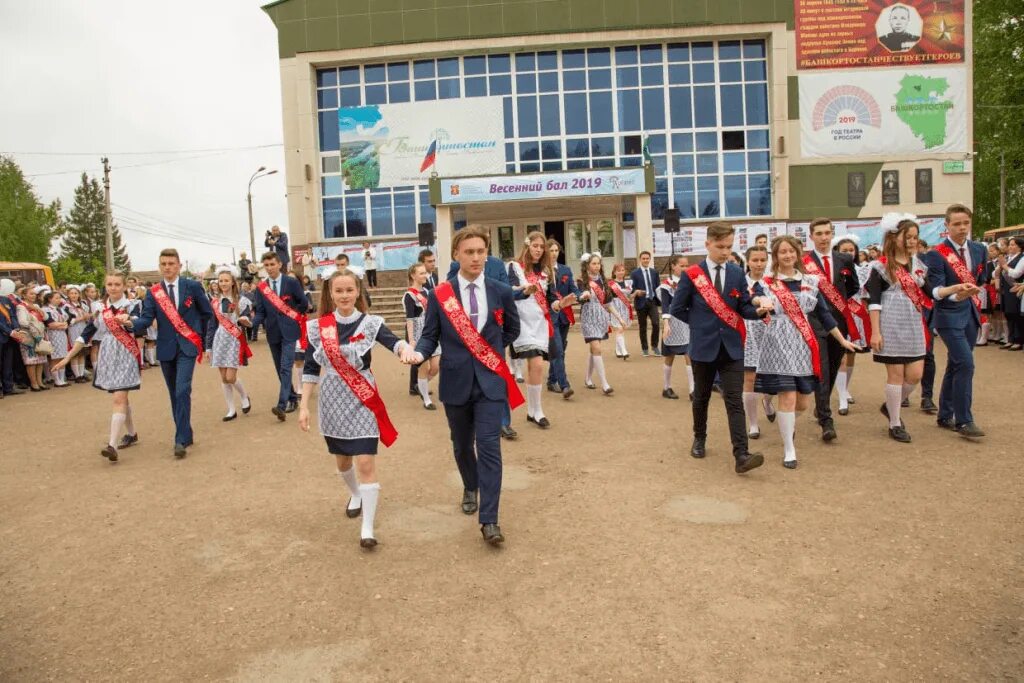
<point>897,297</point>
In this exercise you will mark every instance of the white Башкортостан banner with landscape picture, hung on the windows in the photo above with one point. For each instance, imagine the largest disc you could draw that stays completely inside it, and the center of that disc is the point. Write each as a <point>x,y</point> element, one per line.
<point>388,146</point>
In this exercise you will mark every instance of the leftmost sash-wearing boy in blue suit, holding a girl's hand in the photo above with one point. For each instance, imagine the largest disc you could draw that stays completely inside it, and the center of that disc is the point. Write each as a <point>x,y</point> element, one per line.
<point>177,348</point>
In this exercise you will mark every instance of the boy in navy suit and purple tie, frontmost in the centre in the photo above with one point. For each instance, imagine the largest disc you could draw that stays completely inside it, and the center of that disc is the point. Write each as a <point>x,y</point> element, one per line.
<point>475,396</point>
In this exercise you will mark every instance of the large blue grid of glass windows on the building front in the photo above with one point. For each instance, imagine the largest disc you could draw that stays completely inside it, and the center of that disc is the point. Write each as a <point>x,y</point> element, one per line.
<point>698,112</point>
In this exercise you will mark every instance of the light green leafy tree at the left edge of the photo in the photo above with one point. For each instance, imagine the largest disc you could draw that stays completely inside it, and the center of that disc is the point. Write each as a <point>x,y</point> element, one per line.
<point>27,225</point>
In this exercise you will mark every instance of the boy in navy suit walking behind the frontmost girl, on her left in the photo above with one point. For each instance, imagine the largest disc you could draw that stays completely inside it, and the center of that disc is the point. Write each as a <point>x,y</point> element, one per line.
<point>282,331</point>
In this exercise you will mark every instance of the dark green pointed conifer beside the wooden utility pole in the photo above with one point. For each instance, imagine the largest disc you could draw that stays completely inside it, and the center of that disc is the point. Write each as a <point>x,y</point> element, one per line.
<point>84,240</point>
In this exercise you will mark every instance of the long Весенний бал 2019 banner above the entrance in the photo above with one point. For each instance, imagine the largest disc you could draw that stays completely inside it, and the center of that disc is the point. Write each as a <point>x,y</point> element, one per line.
<point>544,186</point>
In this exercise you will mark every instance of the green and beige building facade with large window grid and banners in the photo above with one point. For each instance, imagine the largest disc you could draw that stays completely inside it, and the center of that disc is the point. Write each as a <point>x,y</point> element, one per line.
<point>705,98</point>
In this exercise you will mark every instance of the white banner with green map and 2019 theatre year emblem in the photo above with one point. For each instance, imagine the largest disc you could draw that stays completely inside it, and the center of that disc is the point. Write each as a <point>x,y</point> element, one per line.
<point>889,112</point>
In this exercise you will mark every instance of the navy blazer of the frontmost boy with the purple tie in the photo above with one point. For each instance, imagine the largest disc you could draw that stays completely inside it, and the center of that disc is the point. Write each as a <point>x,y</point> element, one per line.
<point>459,368</point>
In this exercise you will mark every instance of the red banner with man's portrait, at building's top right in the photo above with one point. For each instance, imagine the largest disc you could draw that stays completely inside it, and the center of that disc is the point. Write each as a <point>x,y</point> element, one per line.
<point>878,33</point>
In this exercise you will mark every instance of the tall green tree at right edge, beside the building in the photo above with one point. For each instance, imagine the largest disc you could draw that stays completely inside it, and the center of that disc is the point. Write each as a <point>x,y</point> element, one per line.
<point>999,97</point>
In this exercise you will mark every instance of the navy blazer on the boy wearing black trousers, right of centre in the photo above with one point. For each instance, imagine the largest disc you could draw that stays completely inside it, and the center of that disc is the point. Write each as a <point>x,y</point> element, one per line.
<point>708,332</point>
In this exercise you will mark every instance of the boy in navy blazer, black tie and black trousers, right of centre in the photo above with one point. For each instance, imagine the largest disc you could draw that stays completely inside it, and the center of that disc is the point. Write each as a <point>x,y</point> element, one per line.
<point>713,298</point>
